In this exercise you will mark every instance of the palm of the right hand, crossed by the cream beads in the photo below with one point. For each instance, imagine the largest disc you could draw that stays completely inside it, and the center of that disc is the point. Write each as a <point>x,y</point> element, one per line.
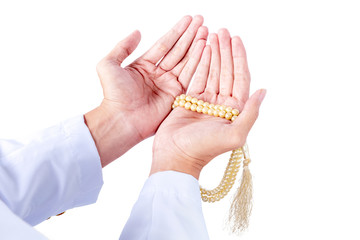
<point>183,128</point>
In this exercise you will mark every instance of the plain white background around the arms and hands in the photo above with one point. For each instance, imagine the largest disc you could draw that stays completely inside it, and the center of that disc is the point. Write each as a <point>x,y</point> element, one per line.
<point>305,145</point>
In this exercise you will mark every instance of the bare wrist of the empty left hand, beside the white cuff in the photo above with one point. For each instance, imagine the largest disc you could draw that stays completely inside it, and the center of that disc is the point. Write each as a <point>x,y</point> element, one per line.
<point>111,132</point>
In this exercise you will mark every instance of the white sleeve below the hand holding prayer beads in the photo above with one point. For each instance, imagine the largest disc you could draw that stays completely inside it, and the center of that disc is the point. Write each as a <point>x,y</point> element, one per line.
<point>168,208</point>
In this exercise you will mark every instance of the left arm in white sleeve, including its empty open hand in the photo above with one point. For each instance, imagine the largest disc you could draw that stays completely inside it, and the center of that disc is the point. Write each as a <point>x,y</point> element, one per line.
<point>60,168</point>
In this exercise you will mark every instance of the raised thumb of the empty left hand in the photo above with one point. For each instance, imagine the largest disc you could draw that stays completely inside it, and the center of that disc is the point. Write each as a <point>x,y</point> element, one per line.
<point>125,47</point>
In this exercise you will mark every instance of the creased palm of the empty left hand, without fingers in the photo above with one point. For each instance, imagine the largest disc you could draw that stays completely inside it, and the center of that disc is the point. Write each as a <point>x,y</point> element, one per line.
<point>142,95</point>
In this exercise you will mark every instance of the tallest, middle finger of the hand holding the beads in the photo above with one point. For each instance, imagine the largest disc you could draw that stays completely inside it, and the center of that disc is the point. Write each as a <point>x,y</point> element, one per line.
<point>227,71</point>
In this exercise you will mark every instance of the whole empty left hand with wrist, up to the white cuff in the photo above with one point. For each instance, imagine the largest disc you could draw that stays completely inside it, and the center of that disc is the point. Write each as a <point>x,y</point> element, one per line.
<point>138,97</point>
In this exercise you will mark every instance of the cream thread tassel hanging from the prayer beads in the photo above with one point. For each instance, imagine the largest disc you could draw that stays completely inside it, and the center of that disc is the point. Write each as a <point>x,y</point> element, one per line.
<point>241,206</point>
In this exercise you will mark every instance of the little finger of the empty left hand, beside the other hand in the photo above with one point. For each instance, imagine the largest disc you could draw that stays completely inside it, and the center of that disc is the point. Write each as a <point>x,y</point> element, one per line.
<point>191,65</point>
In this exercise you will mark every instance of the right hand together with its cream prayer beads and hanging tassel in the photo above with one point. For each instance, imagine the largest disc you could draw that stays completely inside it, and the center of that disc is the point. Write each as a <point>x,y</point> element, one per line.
<point>199,129</point>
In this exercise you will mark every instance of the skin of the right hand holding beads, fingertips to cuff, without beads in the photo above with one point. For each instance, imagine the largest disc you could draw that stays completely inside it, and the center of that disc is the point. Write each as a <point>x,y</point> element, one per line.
<point>186,141</point>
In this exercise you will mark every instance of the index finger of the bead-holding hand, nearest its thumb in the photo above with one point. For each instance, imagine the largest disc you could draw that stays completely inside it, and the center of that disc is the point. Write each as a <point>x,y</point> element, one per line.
<point>241,85</point>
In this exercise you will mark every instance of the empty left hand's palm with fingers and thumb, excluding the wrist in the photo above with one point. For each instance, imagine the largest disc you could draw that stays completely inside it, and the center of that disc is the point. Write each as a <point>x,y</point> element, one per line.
<point>145,89</point>
